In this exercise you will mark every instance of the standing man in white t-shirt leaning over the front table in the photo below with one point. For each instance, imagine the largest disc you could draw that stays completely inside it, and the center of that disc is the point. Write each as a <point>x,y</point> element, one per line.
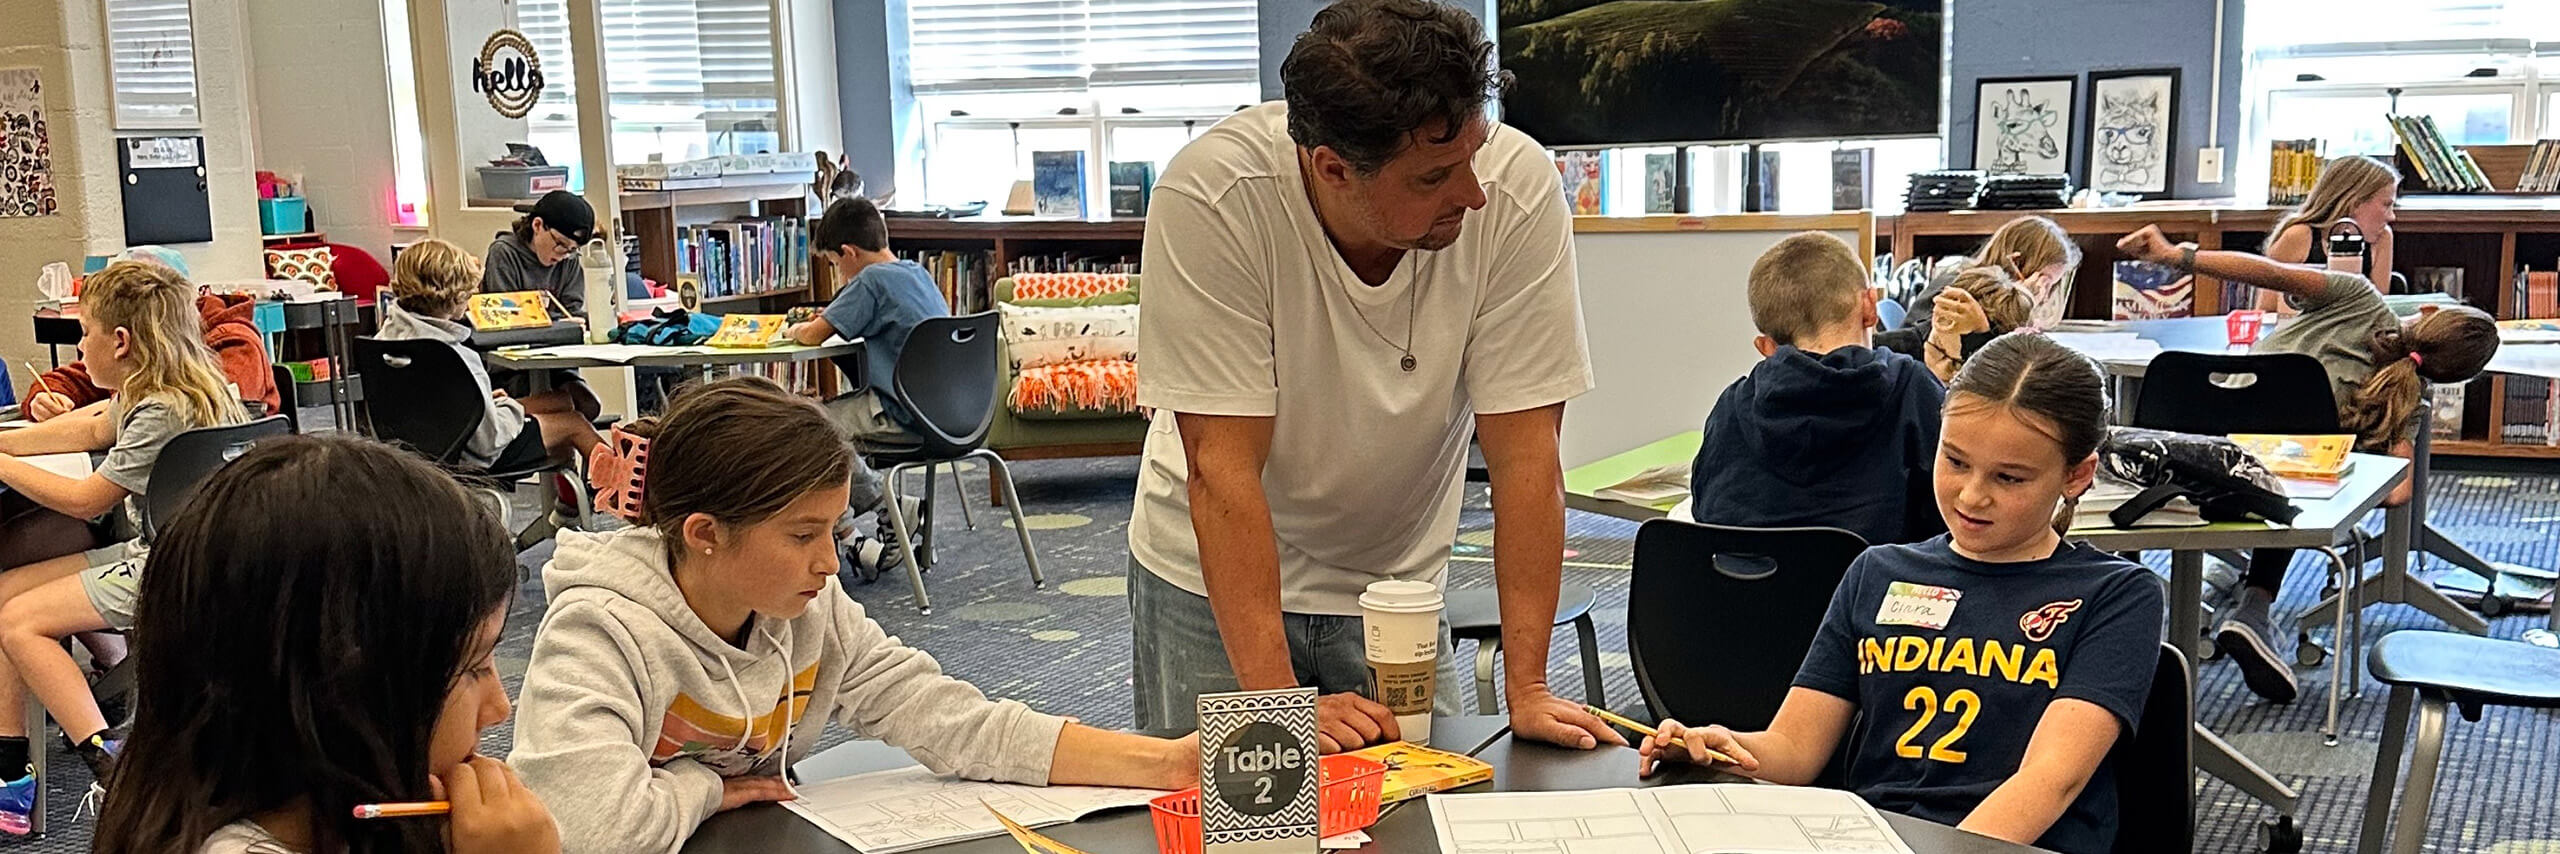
<point>1340,290</point>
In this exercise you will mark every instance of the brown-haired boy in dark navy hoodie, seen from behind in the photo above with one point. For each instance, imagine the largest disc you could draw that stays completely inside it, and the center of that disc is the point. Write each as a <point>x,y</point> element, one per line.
<point>1827,428</point>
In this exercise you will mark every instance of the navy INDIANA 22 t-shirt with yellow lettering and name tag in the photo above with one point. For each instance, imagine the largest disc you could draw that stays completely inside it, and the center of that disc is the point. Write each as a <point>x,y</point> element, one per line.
<point>1955,661</point>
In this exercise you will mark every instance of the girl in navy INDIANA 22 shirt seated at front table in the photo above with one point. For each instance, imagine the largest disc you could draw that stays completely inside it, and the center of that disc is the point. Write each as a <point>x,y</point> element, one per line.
<point>1998,664</point>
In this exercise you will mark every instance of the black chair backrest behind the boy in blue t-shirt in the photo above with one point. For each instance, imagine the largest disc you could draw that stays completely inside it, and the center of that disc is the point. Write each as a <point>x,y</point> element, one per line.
<point>946,377</point>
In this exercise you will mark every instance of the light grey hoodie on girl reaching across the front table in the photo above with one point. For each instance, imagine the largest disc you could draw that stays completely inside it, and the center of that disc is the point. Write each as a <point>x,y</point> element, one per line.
<point>634,710</point>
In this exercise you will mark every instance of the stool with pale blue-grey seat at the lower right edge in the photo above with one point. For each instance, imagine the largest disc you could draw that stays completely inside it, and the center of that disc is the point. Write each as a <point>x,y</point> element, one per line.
<point>2433,671</point>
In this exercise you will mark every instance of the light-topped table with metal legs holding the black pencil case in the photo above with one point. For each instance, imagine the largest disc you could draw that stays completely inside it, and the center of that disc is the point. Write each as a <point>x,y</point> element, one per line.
<point>2321,525</point>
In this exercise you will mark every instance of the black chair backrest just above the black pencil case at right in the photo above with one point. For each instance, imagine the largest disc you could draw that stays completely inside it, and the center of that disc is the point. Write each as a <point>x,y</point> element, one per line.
<point>2218,395</point>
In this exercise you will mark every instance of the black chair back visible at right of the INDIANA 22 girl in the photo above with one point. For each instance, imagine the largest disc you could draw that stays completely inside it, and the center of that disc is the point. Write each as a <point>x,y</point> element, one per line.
<point>2154,781</point>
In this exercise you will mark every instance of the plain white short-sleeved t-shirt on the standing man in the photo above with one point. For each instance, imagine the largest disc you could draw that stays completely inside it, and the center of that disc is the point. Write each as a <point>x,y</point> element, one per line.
<point>1251,311</point>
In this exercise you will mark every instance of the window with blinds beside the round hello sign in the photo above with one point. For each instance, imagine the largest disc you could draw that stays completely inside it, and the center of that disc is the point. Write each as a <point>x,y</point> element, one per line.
<point>687,78</point>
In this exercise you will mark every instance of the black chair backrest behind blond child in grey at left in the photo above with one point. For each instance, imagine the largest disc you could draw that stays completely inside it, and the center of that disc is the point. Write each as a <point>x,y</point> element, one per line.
<point>421,395</point>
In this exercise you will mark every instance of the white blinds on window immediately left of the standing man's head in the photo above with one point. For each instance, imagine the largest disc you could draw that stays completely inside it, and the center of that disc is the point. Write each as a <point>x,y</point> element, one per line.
<point>1071,45</point>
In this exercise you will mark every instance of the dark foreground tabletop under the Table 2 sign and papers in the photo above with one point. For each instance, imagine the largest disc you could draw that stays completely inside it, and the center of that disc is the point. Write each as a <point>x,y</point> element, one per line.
<point>1404,827</point>
